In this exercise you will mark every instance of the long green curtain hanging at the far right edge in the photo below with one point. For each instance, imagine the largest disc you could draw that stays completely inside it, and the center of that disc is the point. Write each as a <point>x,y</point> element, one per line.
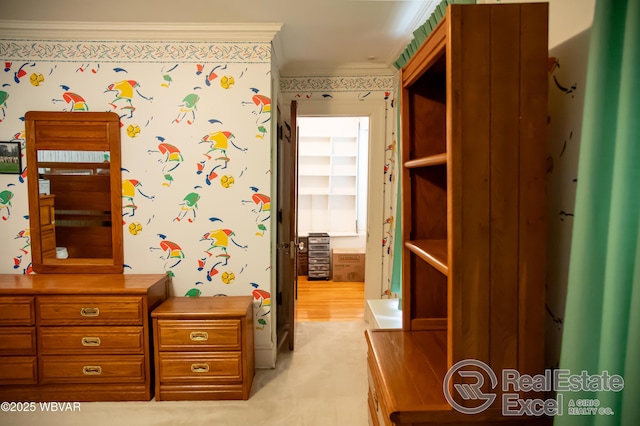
<point>602,318</point>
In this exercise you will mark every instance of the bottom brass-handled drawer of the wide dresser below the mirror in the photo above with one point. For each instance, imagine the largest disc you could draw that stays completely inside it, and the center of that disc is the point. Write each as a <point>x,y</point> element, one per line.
<point>92,369</point>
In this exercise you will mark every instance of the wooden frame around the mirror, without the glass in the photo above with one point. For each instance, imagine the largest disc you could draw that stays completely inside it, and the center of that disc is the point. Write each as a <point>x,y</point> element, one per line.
<point>74,131</point>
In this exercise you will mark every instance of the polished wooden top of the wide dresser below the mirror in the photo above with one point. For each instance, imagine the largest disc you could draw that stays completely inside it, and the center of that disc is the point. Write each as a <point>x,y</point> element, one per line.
<point>80,283</point>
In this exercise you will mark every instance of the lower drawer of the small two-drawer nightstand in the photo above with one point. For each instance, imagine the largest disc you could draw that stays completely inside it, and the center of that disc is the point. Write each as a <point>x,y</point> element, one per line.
<point>200,367</point>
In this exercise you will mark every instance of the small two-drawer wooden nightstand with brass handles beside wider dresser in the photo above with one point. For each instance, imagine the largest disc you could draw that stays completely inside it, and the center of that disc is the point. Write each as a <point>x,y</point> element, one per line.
<point>204,348</point>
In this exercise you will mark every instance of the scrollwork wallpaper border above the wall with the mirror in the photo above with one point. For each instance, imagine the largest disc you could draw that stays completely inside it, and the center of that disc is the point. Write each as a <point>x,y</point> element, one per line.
<point>109,51</point>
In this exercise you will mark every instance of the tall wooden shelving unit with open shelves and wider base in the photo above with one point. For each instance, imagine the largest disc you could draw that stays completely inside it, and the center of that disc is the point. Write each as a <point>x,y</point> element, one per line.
<point>474,110</point>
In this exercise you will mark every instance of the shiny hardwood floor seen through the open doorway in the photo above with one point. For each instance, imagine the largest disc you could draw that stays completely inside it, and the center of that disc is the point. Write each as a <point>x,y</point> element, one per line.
<point>329,301</point>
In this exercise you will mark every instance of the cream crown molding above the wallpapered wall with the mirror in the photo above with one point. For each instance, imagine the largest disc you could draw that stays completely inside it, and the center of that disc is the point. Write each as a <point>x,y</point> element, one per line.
<point>138,31</point>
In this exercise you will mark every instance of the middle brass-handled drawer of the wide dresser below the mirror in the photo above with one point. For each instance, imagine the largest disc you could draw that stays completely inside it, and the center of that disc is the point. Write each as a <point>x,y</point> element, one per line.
<point>91,340</point>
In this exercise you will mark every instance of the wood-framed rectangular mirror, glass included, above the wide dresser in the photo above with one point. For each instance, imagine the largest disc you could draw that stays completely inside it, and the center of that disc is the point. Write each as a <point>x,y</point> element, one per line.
<point>75,191</point>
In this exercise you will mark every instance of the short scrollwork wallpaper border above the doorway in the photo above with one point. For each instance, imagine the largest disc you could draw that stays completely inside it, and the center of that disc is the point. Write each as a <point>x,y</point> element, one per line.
<point>337,84</point>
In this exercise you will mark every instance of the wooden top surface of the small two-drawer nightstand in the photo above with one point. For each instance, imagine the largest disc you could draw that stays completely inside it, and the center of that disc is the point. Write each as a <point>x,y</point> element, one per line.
<point>203,307</point>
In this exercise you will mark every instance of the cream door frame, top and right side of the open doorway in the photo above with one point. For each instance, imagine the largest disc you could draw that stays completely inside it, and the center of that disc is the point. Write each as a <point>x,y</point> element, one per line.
<point>375,110</point>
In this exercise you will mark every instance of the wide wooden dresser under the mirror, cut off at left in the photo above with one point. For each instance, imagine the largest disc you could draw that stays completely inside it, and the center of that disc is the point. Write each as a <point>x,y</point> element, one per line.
<point>77,337</point>
